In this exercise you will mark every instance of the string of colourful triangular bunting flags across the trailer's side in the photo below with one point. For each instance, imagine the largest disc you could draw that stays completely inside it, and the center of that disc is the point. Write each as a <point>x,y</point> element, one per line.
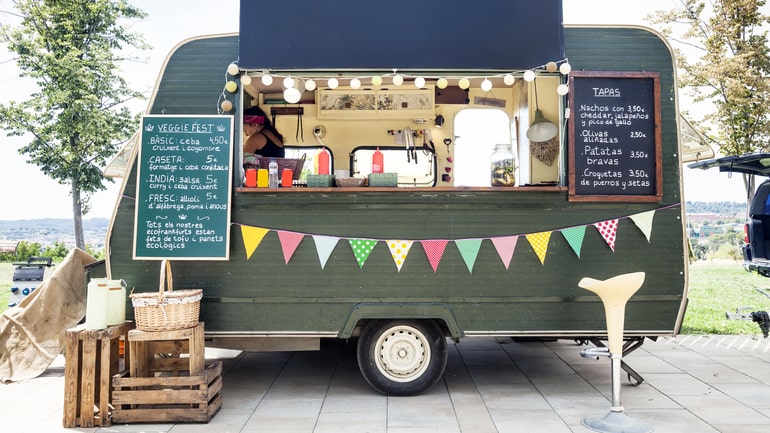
<point>434,248</point>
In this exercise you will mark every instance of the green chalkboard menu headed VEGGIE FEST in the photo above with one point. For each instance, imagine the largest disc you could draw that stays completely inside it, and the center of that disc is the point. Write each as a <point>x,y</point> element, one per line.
<point>183,188</point>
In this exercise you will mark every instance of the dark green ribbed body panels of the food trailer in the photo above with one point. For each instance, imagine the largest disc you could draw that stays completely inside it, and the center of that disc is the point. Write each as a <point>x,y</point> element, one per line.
<point>257,296</point>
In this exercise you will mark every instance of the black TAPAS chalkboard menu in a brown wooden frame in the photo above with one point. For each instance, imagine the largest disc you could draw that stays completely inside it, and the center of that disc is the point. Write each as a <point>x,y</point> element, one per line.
<point>615,138</point>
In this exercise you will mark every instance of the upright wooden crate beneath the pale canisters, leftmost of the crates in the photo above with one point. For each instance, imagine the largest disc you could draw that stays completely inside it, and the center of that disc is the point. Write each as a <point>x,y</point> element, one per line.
<point>92,357</point>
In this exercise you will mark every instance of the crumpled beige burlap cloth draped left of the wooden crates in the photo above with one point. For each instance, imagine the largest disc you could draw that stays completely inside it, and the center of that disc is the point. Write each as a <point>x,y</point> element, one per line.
<point>32,333</point>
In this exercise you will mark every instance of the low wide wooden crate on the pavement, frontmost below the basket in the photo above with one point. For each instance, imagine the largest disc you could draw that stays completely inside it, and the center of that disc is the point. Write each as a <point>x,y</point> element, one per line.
<point>168,399</point>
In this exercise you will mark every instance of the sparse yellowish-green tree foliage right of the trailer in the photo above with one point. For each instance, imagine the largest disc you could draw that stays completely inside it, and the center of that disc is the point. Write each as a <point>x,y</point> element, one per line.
<point>725,61</point>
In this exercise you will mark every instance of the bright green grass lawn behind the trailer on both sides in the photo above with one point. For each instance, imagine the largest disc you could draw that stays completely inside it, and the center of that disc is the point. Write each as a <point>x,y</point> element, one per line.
<point>716,287</point>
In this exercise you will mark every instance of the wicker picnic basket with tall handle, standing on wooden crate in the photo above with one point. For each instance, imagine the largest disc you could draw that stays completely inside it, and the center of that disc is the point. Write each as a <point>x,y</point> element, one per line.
<point>166,310</point>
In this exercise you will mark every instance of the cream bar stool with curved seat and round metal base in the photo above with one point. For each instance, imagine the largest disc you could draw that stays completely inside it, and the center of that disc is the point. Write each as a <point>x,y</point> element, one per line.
<point>614,293</point>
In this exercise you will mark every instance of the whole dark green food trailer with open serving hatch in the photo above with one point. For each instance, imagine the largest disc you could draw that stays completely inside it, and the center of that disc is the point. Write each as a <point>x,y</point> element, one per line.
<point>488,158</point>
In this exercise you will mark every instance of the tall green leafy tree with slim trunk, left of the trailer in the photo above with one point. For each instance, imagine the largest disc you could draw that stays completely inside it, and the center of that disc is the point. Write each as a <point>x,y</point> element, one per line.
<point>76,119</point>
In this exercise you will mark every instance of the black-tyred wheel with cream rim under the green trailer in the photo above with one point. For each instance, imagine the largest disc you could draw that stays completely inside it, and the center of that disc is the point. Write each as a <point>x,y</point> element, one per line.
<point>402,357</point>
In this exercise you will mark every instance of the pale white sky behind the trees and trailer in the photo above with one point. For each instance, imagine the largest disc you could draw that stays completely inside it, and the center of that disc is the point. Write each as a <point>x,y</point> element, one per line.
<point>26,193</point>
